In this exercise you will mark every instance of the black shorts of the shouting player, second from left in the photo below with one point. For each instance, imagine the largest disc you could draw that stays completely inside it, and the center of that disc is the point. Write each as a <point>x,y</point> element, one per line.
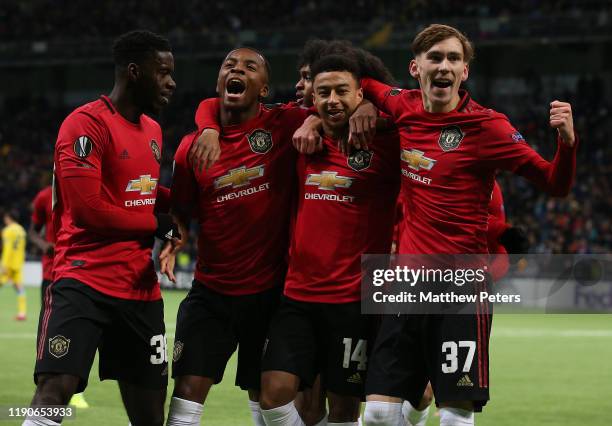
<point>209,327</point>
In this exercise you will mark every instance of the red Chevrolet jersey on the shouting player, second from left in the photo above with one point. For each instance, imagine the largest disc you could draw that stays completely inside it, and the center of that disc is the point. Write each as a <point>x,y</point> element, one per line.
<point>243,203</point>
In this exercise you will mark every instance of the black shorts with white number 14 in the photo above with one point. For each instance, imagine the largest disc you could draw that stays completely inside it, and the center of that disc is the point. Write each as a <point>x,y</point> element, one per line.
<point>307,338</point>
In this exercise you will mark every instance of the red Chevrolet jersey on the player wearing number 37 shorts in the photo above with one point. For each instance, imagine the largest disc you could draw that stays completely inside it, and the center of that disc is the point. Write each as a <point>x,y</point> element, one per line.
<point>448,165</point>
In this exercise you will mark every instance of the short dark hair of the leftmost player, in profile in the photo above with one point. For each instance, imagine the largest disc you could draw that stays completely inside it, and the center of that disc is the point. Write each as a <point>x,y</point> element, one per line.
<point>136,46</point>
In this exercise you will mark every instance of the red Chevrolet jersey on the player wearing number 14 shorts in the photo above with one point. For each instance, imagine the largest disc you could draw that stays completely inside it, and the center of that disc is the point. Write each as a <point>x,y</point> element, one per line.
<point>345,209</point>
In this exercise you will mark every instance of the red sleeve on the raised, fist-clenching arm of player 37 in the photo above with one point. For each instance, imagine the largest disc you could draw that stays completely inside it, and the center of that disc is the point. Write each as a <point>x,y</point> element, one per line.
<point>505,148</point>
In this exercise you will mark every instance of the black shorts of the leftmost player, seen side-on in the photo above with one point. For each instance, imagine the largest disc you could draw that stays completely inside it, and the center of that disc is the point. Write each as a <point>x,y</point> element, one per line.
<point>77,320</point>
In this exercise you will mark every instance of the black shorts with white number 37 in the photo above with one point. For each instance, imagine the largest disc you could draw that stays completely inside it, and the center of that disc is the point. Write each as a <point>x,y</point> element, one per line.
<point>451,351</point>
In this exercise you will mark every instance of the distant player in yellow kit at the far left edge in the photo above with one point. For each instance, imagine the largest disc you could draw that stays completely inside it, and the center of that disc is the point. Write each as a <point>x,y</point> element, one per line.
<point>13,257</point>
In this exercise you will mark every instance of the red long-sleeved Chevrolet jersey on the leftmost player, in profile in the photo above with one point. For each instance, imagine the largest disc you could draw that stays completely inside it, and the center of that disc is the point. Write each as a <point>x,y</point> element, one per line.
<point>113,254</point>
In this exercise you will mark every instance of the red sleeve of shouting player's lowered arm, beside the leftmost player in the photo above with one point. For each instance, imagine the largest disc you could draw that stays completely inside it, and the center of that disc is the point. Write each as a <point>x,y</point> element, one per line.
<point>184,186</point>
